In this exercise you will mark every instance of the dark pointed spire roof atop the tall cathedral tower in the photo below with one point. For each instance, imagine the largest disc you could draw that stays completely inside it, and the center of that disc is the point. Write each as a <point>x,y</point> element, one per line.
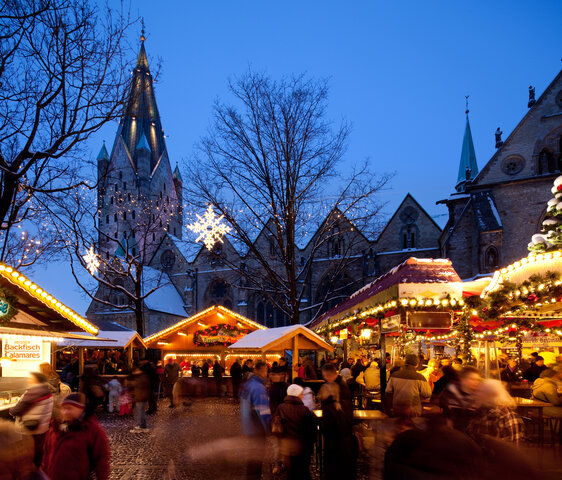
<point>141,118</point>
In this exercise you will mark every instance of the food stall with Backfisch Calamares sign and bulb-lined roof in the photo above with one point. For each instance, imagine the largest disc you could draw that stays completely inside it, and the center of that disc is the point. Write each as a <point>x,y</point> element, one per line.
<point>31,322</point>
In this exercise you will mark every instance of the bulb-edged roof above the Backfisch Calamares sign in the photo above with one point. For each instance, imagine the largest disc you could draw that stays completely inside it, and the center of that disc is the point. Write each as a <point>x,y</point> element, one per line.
<point>42,306</point>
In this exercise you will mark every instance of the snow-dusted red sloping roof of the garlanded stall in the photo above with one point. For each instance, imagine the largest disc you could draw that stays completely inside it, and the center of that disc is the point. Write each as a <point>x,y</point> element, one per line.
<point>413,270</point>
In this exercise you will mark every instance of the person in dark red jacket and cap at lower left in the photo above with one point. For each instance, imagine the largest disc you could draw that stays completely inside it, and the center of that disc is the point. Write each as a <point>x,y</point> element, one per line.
<point>76,446</point>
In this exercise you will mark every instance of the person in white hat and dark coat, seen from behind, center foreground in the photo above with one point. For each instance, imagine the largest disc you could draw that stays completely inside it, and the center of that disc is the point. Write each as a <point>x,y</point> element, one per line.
<point>299,429</point>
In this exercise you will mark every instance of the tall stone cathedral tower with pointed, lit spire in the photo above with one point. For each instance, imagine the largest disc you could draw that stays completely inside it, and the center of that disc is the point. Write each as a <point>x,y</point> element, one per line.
<point>139,197</point>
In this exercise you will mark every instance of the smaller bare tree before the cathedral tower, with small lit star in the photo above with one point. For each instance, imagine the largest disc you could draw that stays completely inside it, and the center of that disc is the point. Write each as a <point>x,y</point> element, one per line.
<point>118,263</point>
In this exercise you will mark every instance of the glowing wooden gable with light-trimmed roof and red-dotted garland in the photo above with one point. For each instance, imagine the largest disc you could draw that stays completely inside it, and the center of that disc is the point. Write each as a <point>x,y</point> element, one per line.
<point>205,335</point>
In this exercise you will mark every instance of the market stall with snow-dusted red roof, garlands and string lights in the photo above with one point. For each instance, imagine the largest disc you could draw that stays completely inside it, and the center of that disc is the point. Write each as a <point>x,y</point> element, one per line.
<point>415,300</point>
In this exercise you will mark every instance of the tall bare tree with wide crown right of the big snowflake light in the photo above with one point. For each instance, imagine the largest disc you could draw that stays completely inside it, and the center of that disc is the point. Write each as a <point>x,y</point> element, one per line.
<point>272,164</point>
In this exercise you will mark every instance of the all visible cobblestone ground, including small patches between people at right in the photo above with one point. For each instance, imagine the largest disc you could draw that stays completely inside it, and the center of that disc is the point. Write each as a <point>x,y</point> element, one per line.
<point>203,442</point>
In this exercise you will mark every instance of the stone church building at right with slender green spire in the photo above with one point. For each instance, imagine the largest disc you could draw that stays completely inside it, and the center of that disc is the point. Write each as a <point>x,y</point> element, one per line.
<point>494,213</point>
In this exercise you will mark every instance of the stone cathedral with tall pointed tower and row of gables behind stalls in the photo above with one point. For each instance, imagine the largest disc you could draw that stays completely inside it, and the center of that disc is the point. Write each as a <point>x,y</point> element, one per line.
<point>140,216</point>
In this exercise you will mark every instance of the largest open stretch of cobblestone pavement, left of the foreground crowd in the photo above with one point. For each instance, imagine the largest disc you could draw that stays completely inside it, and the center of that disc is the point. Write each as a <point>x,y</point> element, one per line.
<point>183,443</point>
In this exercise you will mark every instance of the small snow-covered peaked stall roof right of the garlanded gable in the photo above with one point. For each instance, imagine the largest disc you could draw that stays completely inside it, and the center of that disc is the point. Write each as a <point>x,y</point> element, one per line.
<point>274,338</point>
